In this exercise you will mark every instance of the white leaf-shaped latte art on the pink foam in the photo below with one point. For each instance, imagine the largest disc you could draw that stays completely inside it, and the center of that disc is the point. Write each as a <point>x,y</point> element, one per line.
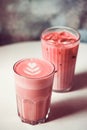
<point>32,69</point>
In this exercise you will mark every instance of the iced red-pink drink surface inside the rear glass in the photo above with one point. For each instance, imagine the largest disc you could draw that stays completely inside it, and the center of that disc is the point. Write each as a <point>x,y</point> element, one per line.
<point>60,38</point>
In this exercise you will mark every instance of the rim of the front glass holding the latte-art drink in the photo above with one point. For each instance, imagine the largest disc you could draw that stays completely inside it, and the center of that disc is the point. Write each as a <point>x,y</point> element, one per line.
<point>43,77</point>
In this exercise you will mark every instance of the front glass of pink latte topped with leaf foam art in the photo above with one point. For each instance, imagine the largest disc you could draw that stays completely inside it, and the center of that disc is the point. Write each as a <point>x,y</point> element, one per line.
<point>34,79</point>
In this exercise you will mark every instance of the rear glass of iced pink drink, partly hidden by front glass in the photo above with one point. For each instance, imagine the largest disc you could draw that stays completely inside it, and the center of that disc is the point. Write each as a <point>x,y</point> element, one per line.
<point>60,46</point>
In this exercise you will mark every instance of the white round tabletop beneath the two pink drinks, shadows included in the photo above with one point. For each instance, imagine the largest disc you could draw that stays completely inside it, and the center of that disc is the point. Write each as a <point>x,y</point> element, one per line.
<point>68,110</point>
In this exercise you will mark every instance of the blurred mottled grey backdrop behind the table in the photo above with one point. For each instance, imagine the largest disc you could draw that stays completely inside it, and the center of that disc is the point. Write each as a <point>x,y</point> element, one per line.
<point>24,20</point>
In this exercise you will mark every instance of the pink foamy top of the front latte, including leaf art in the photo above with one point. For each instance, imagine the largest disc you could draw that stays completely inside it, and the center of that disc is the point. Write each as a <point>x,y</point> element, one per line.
<point>33,68</point>
